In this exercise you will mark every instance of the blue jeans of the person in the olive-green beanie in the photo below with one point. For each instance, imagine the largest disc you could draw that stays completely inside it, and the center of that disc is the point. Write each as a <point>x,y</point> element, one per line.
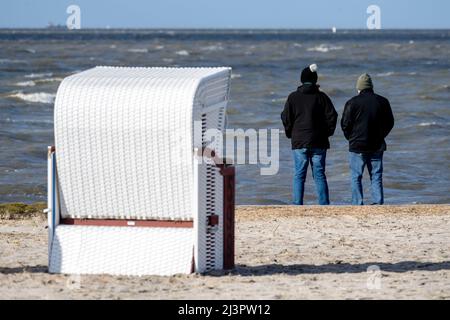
<point>374,163</point>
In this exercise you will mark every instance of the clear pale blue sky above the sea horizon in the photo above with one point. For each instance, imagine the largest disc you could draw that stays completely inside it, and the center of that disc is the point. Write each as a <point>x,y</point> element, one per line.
<point>226,13</point>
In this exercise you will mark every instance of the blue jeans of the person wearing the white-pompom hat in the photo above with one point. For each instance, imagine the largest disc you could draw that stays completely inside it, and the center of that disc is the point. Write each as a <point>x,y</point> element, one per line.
<point>315,157</point>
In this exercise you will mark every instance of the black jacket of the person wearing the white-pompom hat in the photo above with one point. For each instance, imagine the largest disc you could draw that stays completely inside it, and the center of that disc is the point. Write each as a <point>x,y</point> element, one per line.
<point>309,118</point>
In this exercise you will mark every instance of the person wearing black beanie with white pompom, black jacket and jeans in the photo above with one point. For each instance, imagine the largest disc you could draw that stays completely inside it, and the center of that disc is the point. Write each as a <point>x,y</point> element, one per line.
<point>309,119</point>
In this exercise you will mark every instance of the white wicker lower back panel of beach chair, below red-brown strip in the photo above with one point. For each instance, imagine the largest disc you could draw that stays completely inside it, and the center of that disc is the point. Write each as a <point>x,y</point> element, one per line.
<point>121,250</point>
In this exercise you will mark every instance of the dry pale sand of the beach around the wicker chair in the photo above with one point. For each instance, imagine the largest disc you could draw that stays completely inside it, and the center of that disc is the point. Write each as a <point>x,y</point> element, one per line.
<point>281,253</point>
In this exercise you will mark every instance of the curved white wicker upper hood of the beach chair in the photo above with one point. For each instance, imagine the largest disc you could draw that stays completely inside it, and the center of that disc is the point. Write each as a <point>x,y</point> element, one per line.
<point>124,139</point>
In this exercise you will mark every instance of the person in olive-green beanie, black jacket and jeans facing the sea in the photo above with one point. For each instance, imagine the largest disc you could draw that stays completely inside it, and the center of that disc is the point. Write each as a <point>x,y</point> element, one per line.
<point>367,120</point>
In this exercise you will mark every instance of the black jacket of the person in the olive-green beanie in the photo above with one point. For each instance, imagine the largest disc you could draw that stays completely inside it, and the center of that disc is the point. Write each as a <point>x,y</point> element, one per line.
<point>366,122</point>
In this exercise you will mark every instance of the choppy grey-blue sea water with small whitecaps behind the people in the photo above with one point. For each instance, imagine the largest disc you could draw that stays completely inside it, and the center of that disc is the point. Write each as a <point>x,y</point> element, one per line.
<point>411,68</point>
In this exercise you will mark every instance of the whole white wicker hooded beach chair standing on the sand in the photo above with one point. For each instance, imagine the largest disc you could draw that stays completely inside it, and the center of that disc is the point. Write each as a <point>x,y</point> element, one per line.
<point>128,192</point>
